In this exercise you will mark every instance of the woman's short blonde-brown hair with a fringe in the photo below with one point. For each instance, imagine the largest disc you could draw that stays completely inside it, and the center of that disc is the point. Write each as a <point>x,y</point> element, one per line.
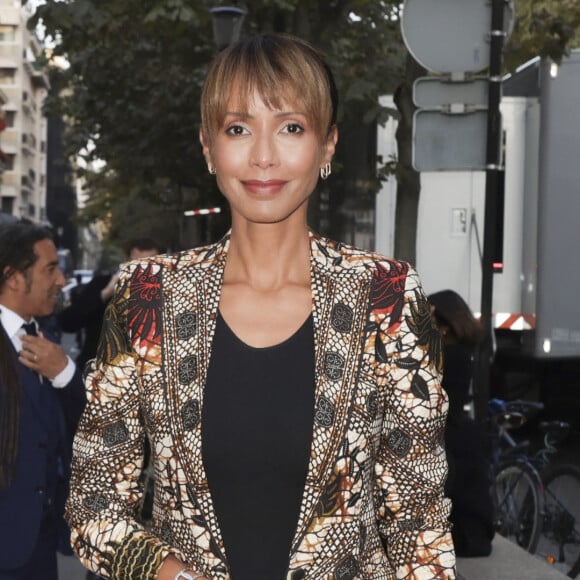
<point>282,69</point>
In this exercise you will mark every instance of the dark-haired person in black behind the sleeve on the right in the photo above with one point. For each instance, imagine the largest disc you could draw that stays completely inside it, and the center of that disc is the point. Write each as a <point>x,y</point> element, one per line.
<point>468,447</point>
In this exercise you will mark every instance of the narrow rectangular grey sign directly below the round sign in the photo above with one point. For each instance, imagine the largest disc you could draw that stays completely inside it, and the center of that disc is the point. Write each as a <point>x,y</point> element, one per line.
<point>443,91</point>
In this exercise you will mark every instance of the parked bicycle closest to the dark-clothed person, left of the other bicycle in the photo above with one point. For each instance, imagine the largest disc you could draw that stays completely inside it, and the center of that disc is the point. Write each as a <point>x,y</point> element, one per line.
<point>517,488</point>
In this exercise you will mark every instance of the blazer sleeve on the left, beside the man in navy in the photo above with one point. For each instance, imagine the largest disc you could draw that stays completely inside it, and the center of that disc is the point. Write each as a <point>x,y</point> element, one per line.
<point>108,460</point>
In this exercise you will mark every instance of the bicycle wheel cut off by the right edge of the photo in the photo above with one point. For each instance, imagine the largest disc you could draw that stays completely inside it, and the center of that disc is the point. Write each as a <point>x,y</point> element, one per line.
<point>560,538</point>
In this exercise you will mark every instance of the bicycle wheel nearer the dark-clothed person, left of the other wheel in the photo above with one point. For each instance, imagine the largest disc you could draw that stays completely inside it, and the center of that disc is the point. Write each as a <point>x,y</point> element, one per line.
<point>519,504</point>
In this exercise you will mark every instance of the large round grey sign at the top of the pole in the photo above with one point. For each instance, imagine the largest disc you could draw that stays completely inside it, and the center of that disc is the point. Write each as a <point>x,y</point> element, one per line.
<point>447,36</point>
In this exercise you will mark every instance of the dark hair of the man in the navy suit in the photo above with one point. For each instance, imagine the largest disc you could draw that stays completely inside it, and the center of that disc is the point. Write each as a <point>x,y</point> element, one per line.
<point>17,242</point>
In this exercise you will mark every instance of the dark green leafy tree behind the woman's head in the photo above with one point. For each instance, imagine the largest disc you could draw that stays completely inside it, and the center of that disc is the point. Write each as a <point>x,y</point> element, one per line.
<point>132,86</point>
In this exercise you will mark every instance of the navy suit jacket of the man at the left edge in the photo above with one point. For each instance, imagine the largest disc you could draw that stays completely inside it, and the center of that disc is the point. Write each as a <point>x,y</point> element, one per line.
<point>48,418</point>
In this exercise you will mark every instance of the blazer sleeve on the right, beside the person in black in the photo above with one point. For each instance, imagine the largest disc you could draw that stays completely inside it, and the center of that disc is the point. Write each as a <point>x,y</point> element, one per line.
<point>411,468</point>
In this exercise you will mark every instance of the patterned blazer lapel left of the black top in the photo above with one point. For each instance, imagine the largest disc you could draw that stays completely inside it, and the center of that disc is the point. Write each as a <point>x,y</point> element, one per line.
<point>191,301</point>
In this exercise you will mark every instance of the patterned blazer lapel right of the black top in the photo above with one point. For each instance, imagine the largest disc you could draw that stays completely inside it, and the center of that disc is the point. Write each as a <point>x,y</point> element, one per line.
<point>340,303</point>
